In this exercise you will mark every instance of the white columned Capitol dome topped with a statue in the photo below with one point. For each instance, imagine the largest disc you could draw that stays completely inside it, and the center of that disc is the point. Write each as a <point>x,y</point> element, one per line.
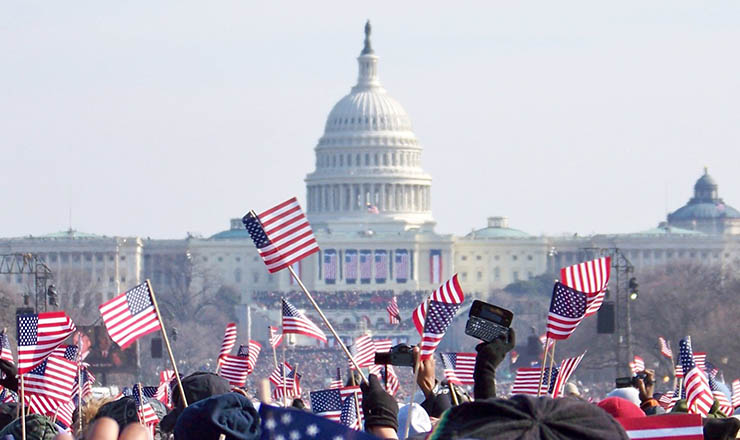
<point>368,162</point>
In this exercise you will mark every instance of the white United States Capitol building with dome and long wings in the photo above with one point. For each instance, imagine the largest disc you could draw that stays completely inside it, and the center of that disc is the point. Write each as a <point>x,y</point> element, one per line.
<point>370,204</point>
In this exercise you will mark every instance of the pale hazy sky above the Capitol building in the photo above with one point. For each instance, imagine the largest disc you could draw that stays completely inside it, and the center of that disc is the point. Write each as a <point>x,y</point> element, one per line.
<point>159,119</point>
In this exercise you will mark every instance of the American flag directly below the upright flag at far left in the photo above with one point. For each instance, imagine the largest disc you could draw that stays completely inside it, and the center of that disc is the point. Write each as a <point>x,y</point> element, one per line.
<point>53,378</point>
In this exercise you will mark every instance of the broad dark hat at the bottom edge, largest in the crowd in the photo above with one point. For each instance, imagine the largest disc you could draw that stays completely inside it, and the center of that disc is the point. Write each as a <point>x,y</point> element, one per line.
<point>528,418</point>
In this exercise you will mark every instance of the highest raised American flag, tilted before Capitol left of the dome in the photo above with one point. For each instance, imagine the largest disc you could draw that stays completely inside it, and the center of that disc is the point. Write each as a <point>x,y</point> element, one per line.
<point>282,235</point>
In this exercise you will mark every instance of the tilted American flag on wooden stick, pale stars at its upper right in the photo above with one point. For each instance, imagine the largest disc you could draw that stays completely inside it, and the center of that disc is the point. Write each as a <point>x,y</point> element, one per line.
<point>130,315</point>
